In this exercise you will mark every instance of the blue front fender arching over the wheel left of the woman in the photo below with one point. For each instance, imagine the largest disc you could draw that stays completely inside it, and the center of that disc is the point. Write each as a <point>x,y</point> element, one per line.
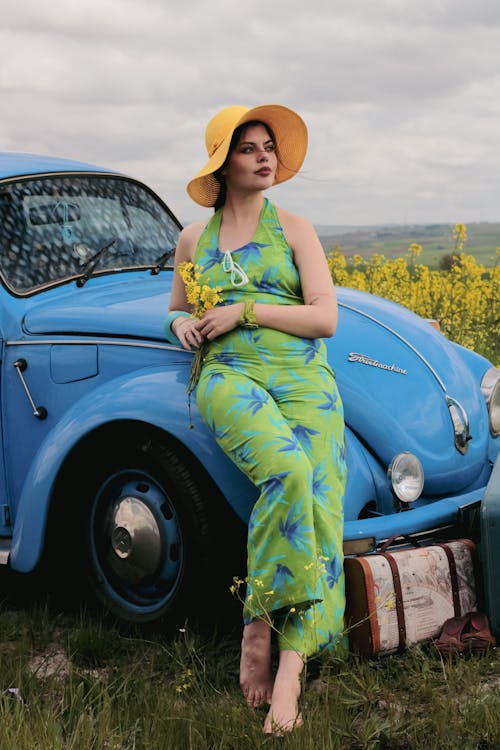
<point>129,397</point>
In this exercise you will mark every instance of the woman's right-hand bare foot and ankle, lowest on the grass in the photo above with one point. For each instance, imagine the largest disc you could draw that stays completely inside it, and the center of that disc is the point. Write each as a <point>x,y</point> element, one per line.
<point>284,713</point>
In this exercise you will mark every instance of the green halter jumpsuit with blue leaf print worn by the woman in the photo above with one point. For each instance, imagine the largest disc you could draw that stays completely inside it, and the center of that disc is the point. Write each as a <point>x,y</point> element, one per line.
<point>271,401</point>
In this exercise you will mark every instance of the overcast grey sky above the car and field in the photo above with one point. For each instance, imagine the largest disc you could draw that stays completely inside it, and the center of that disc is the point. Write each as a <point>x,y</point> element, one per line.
<point>401,97</point>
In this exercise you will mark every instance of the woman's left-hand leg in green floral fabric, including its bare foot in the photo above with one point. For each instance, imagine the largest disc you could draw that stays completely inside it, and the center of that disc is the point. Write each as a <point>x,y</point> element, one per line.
<point>281,543</point>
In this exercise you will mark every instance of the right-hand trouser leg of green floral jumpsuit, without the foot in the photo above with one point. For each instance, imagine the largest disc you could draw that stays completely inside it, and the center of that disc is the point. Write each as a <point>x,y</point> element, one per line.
<point>315,414</point>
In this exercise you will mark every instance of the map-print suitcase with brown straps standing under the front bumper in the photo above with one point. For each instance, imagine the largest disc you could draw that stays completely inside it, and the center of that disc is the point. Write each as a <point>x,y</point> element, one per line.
<point>396,598</point>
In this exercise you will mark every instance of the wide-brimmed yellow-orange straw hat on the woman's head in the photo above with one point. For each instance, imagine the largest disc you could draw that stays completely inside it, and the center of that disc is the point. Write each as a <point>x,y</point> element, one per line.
<point>289,130</point>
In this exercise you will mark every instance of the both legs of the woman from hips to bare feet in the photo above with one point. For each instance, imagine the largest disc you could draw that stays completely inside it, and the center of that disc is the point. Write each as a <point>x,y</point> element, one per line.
<point>294,455</point>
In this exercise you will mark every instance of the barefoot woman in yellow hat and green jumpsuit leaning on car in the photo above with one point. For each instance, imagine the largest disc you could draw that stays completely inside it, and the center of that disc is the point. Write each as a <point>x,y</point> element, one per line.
<point>268,393</point>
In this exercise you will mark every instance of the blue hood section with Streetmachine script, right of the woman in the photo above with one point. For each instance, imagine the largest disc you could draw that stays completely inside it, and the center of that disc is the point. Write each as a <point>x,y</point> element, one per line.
<point>395,373</point>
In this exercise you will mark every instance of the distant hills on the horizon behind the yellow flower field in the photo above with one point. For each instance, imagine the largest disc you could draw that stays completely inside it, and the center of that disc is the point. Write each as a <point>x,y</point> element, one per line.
<point>393,240</point>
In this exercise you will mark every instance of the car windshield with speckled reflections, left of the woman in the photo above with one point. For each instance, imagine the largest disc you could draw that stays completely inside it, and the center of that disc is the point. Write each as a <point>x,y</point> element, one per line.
<point>51,226</point>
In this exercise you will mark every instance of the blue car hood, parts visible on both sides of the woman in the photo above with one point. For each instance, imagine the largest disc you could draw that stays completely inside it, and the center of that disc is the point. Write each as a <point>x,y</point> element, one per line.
<point>394,370</point>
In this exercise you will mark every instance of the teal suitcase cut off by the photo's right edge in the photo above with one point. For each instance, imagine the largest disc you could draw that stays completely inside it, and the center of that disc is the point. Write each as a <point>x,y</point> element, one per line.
<point>490,548</point>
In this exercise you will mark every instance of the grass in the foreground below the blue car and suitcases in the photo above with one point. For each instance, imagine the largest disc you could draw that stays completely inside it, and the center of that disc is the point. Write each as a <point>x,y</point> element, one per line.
<point>83,684</point>
